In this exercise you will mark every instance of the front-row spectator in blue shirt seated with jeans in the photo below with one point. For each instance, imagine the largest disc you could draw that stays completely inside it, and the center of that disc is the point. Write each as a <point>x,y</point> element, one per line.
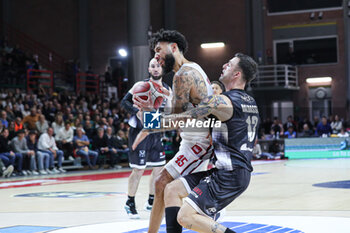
<point>82,143</point>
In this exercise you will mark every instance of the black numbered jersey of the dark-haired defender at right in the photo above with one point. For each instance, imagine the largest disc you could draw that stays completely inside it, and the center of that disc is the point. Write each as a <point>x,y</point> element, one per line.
<point>234,140</point>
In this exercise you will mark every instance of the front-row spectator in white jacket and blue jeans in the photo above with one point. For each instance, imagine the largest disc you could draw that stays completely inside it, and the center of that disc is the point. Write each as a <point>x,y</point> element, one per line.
<point>47,144</point>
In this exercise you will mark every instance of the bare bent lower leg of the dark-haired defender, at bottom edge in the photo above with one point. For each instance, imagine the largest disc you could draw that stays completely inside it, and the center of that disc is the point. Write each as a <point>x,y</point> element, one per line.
<point>189,218</point>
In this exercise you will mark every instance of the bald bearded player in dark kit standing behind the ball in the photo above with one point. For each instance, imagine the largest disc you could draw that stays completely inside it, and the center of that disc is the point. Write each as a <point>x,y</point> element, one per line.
<point>150,152</point>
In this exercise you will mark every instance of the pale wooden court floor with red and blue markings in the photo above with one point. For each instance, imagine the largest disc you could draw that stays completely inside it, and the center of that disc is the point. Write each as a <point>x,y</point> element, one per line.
<point>296,196</point>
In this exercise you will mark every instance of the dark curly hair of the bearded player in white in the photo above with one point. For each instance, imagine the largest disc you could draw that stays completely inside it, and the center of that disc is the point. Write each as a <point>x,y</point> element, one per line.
<point>170,36</point>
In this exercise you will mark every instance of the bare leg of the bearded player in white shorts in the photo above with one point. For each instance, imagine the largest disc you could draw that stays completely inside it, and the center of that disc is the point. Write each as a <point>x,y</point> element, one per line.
<point>158,206</point>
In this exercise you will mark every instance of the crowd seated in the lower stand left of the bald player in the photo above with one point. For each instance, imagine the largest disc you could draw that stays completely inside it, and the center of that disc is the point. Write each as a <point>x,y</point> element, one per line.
<point>37,130</point>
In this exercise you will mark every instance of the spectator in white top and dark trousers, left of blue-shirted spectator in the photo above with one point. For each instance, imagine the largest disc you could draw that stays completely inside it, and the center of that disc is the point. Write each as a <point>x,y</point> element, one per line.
<point>64,139</point>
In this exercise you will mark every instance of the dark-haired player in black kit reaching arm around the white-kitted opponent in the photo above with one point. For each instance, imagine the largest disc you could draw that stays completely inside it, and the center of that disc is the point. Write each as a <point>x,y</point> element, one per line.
<point>208,192</point>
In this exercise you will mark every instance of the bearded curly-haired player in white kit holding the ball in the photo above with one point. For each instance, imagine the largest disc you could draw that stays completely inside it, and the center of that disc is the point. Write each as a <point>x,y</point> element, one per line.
<point>190,86</point>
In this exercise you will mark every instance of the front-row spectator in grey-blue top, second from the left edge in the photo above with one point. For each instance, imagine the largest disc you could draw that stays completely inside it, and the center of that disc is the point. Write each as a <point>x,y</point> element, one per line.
<point>19,145</point>
